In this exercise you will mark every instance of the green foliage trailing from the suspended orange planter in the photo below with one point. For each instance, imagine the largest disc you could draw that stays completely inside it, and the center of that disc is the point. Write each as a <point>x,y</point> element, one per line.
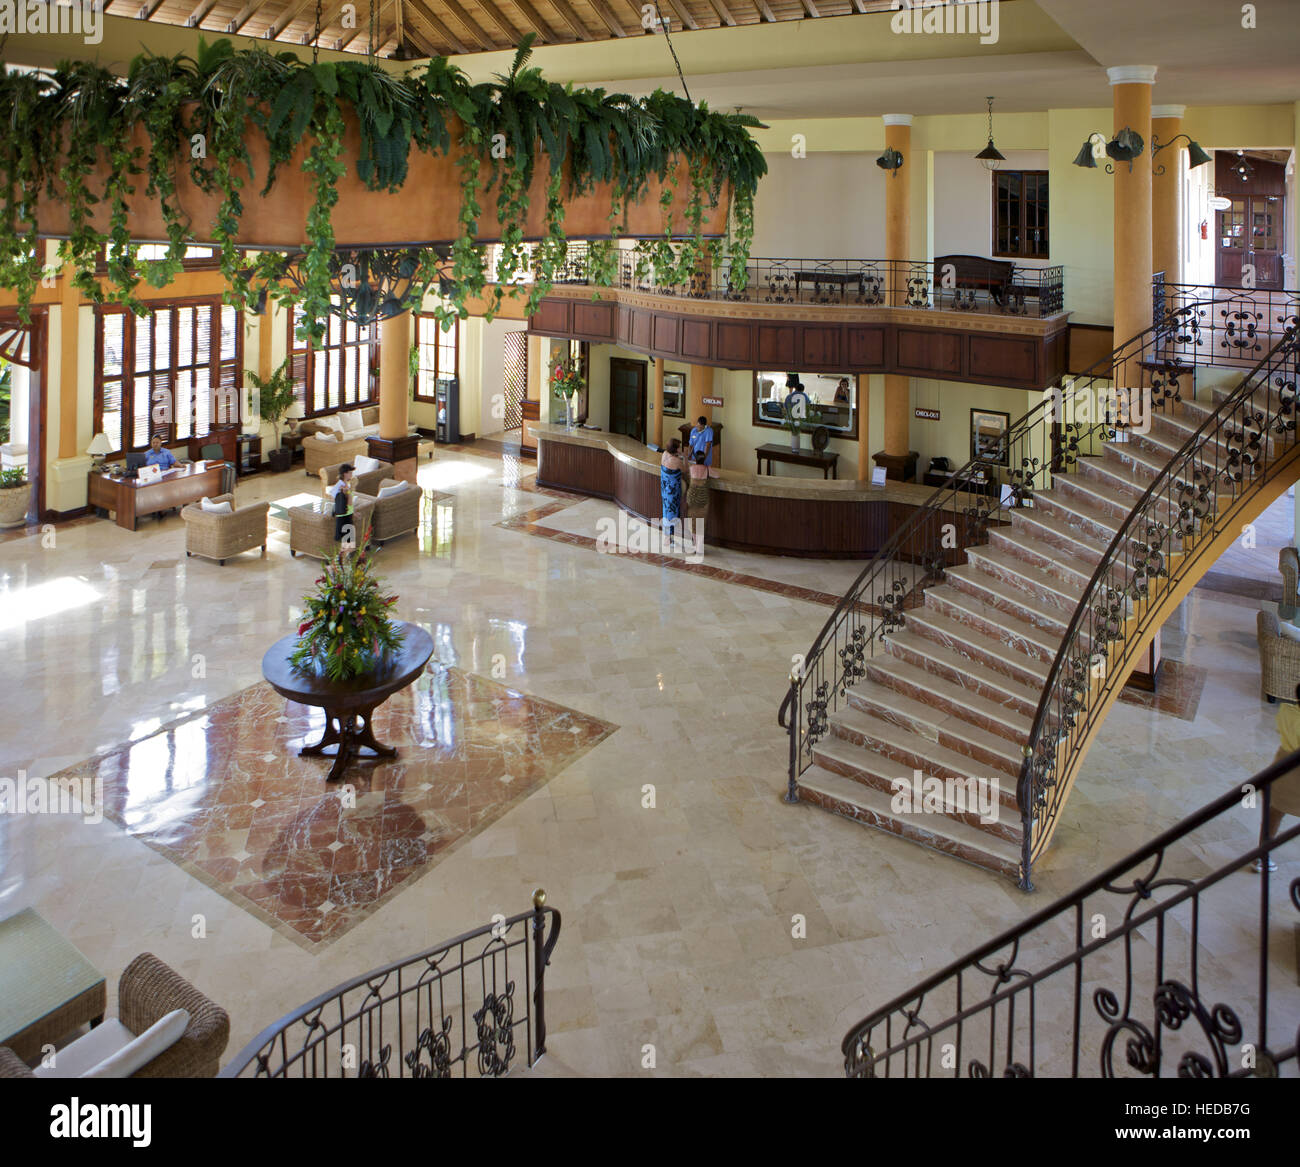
<point>57,132</point>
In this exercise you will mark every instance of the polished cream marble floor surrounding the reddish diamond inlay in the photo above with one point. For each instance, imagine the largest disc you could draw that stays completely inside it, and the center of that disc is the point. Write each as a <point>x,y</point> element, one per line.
<point>678,917</point>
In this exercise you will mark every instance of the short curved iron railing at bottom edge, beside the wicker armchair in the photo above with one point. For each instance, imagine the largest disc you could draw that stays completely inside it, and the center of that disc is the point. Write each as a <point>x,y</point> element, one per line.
<point>467,1008</point>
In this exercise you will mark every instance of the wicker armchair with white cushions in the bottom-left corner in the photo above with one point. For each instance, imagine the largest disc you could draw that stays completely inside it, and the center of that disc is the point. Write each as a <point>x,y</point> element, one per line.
<point>146,1039</point>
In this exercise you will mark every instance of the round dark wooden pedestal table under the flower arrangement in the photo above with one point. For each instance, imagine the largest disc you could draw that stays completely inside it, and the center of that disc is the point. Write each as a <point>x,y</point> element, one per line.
<point>349,705</point>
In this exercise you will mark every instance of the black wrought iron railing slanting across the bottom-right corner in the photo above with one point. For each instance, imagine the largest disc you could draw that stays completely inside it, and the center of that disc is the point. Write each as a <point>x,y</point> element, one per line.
<point>1115,979</point>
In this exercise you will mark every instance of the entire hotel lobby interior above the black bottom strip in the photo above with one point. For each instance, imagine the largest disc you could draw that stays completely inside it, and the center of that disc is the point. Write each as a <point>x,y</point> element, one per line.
<point>642,806</point>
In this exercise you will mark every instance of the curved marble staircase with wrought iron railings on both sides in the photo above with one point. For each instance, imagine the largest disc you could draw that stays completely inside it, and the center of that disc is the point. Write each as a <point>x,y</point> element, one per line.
<point>952,702</point>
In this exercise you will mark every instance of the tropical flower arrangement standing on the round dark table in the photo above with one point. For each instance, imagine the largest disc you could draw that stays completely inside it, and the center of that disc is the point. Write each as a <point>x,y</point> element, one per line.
<point>346,628</point>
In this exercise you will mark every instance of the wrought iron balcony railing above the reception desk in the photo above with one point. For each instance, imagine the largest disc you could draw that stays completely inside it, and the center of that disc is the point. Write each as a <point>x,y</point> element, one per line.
<point>961,284</point>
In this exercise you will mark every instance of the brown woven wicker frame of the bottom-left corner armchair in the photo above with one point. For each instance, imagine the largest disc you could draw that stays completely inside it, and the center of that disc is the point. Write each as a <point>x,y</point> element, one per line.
<point>148,992</point>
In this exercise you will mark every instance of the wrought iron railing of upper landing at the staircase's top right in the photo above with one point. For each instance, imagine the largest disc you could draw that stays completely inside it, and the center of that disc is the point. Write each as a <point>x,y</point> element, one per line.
<point>1234,326</point>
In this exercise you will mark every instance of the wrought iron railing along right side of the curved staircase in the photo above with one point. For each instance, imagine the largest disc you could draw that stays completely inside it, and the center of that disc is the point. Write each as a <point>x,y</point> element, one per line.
<point>1246,441</point>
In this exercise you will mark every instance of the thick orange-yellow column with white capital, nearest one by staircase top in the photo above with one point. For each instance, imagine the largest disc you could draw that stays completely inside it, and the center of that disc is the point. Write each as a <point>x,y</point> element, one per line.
<point>1133,244</point>
